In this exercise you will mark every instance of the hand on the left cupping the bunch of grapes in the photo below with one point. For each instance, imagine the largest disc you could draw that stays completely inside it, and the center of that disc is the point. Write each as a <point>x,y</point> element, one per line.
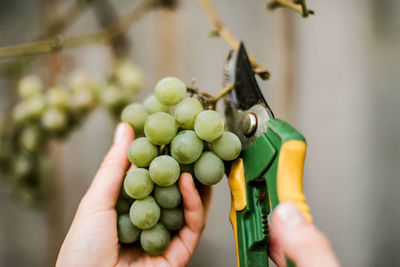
<point>92,239</point>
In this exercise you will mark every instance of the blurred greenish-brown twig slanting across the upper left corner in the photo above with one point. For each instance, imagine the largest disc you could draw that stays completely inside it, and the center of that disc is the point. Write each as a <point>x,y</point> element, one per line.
<point>60,42</point>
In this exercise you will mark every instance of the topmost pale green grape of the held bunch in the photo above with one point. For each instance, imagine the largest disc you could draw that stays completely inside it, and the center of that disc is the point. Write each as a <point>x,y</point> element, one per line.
<point>170,91</point>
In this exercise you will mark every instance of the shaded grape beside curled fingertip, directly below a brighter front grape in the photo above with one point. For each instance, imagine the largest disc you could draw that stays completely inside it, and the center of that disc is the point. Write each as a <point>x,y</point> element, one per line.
<point>167,197</point>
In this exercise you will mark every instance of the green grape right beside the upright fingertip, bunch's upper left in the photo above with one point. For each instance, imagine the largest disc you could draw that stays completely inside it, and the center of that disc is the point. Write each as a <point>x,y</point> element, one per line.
<point>135,115</point>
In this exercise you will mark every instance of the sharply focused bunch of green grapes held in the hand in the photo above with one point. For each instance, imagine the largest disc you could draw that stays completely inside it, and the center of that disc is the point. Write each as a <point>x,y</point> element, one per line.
<point>176,135</point>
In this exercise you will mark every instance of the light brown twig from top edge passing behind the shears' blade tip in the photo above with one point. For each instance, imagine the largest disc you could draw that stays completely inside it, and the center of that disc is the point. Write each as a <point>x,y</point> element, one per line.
<point>225,34</point>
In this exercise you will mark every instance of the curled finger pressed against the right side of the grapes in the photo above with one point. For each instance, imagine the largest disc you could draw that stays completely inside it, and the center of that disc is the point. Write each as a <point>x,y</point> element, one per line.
<point>183,245</point>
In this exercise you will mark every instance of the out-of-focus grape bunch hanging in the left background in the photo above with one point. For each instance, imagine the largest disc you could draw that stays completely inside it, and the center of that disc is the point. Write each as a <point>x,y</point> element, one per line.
<point>42,115</point>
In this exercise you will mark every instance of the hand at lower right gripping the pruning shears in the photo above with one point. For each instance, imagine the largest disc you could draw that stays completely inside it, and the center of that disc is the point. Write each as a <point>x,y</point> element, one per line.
<point>294,236</point>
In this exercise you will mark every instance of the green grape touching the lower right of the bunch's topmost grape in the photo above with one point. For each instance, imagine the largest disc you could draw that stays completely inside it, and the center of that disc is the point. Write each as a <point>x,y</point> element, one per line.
<point>187,111</point>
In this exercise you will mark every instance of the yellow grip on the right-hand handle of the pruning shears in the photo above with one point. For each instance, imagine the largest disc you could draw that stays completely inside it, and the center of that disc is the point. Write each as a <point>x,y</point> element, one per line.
<point>290,175</point>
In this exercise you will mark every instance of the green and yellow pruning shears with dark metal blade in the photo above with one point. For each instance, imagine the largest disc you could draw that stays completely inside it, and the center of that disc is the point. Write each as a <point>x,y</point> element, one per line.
<point>269,169</point>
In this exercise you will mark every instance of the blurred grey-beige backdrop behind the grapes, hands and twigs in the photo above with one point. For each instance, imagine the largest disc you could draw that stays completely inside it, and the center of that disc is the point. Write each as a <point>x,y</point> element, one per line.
<point>335,77</point>
